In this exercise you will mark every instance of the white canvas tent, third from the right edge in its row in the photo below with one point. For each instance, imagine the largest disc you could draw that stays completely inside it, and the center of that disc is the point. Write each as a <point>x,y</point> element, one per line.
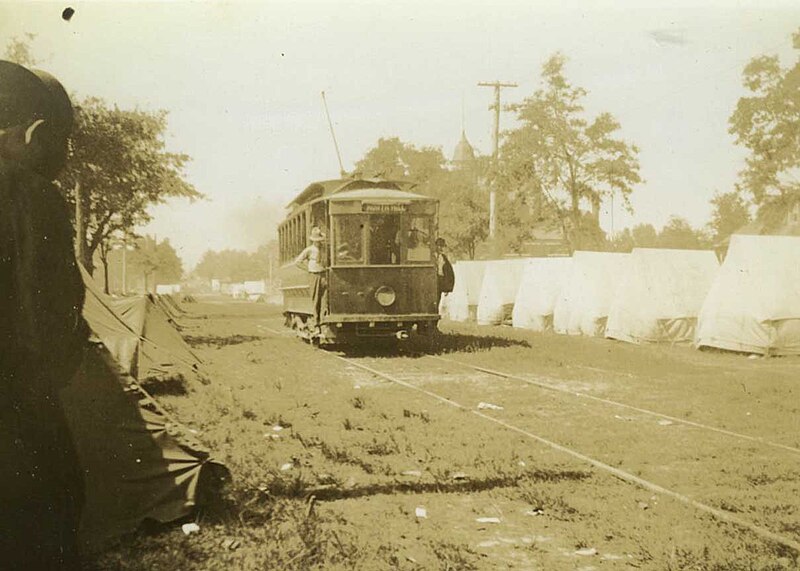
<point>583,304</point>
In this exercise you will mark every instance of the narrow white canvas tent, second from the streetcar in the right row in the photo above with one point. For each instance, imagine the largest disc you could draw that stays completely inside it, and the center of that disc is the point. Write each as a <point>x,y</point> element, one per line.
<point>501,280</point>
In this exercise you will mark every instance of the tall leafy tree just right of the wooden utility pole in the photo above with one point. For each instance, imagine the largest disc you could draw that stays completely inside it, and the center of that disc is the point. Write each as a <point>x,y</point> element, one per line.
<point>558,160</point>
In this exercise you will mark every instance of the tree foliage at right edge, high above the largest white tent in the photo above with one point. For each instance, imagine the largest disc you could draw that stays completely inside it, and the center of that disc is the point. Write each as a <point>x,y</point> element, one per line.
<point>767,123</point>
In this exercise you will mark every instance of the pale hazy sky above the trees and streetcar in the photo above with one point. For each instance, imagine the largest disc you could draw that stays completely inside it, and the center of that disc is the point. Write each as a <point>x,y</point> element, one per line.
<point>242,83</point>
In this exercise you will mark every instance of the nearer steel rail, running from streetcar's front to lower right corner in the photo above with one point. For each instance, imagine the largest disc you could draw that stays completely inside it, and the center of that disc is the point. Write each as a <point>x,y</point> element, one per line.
<point>621,474</point>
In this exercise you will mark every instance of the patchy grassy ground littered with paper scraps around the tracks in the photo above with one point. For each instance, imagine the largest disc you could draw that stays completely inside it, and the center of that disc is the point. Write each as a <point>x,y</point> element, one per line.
<point>333,467</point>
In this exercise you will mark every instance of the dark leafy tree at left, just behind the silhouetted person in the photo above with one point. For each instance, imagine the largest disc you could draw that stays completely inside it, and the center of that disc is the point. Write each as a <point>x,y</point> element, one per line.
<point>119,167</point>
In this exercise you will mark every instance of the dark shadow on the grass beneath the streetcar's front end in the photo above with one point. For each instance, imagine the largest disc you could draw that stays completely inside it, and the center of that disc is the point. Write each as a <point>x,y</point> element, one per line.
<point>441,344</point>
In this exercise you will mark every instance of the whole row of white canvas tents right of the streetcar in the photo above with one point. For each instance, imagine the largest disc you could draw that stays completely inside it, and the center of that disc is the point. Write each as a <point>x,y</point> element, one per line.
<point>750,303</point>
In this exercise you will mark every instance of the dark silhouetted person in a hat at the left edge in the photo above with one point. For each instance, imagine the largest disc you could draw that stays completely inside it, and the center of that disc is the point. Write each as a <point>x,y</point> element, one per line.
<point>42,333</point>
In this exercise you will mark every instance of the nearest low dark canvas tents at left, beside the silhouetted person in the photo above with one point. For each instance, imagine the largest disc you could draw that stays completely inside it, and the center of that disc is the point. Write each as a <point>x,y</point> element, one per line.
<point>139,464</point>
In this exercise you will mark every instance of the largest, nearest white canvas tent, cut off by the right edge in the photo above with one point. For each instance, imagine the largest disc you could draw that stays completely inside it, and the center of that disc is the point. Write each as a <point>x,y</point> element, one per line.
<point>754,303</point>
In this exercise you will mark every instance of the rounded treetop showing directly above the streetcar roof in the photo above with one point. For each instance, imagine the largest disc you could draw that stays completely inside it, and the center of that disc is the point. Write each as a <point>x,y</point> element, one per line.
<point>393,159</point>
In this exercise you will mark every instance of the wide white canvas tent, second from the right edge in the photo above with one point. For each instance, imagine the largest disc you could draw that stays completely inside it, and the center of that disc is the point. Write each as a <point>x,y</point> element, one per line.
<point>660,295</point>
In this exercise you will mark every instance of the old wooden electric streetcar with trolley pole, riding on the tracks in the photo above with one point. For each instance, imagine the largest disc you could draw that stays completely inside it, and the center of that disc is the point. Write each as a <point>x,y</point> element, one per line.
<point>379,259</point>
